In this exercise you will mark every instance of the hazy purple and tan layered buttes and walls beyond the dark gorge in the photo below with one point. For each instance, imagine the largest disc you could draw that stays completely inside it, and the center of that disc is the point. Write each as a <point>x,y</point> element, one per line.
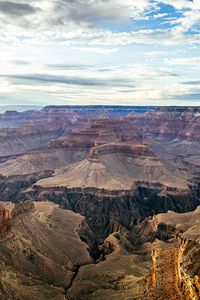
<point>53,129</point>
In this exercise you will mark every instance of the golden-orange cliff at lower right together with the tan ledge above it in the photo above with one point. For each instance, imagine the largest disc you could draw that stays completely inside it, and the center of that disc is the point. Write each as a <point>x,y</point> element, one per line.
<point>175,256</point>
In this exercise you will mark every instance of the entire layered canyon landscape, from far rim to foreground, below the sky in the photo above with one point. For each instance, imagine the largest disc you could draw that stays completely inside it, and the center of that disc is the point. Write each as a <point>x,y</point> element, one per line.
<point>100,202</point>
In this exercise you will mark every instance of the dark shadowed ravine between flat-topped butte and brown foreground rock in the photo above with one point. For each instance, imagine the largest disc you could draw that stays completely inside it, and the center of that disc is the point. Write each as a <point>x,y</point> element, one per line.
<point>105,211</point>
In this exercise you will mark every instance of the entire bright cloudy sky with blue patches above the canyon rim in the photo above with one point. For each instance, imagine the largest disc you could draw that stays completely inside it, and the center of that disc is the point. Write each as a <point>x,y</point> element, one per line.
<point>120,52</point>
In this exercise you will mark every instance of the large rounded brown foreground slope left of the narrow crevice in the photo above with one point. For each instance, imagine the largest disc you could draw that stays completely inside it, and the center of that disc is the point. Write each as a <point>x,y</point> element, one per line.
<point>40,251</point>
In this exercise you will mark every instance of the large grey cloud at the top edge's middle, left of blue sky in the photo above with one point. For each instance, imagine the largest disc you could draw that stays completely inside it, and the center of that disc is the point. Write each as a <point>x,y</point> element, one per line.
<point>95,12</point>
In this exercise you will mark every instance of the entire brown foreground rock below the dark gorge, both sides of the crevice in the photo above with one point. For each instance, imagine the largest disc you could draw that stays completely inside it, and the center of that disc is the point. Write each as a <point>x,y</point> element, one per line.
<point>42,256</point>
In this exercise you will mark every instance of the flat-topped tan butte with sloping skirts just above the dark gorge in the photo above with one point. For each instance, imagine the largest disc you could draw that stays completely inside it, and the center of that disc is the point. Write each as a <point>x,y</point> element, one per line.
<point>119,167</point>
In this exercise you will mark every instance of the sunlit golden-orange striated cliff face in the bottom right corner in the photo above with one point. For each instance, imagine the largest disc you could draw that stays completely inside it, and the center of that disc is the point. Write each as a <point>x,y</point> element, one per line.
<point>170,278</point>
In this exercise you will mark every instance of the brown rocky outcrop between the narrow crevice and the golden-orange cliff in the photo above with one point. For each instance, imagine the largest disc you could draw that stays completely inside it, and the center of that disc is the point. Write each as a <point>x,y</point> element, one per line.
<point>117,274</point>
